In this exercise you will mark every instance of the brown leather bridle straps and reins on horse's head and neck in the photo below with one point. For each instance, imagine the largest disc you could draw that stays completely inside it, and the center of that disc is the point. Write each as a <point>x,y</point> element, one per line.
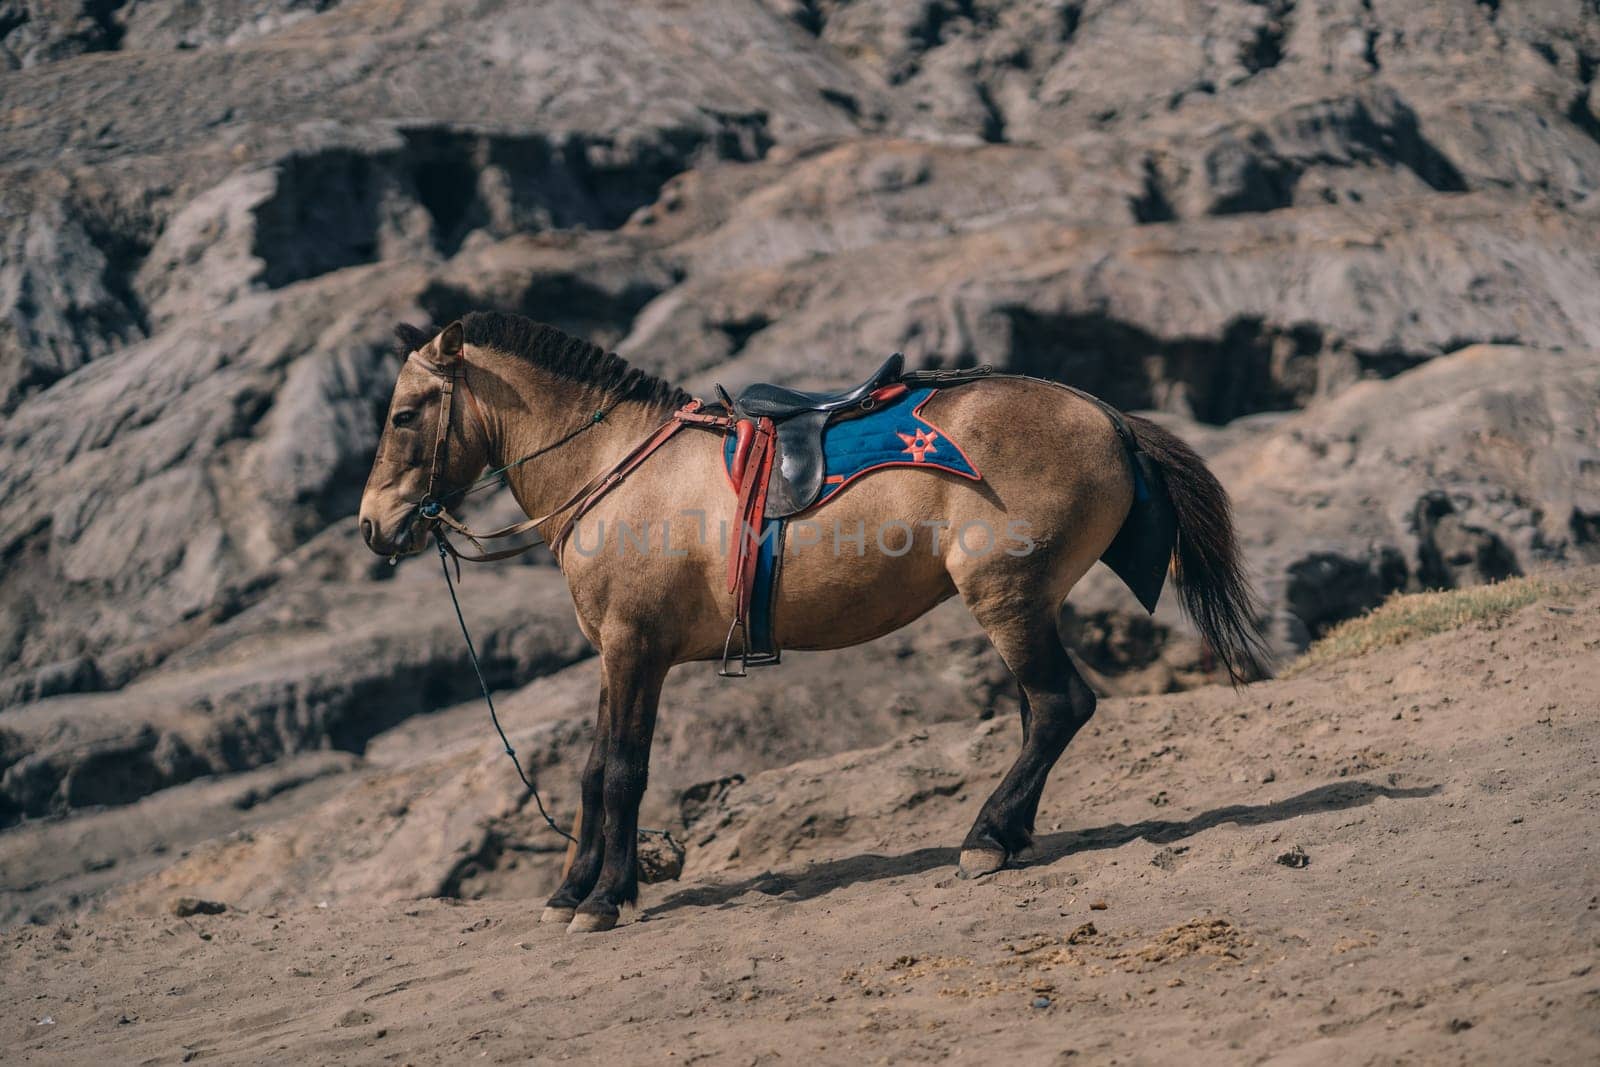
<point>431,510</point>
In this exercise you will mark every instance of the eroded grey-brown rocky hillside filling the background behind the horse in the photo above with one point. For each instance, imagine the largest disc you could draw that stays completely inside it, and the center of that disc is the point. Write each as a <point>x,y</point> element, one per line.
<point>1268,222</point>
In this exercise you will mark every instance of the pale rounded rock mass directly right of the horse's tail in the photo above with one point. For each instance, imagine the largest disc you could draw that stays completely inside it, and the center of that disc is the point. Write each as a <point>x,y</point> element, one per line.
<point>1471,470</point>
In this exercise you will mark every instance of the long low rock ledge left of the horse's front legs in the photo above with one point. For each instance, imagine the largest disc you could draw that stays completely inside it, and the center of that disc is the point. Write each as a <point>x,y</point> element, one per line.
<point>322,666</point>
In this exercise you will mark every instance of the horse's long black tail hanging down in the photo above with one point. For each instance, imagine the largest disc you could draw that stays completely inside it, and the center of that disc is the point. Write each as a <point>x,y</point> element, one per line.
<point>1207,562</point>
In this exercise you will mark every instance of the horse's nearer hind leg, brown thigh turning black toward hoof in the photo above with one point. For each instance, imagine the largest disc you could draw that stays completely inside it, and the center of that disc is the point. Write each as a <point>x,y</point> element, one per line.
<point>1057,703</point>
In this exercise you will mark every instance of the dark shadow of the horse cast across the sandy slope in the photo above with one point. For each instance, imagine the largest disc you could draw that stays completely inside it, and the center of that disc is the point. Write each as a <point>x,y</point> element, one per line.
<point>836,874</point>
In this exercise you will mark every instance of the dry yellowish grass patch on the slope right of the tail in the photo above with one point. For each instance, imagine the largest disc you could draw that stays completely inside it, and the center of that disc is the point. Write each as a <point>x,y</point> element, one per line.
<point>1409,617</point>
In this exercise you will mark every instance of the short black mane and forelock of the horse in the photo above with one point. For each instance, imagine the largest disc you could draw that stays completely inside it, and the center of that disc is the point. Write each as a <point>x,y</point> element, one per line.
<point>558,353</point>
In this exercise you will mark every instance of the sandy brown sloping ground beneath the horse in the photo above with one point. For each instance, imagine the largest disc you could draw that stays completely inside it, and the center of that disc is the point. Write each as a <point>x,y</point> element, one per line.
<point>1386,861</point>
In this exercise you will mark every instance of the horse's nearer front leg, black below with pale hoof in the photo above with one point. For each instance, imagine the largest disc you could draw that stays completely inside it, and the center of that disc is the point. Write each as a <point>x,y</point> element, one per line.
<point>633,682</point>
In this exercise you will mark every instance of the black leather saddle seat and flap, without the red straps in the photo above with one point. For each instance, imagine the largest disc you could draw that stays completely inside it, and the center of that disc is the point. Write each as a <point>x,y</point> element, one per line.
<point>799,418</point>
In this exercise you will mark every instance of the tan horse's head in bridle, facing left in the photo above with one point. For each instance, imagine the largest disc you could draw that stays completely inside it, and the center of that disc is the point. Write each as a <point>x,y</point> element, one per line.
<point>418,462</point>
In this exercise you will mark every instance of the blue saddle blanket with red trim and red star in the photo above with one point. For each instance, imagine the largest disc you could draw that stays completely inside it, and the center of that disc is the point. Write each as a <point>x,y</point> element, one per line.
<point>894,436</point>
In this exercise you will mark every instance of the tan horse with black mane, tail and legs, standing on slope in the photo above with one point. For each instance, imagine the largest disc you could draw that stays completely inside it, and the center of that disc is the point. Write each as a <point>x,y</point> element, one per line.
<point>558,417</point>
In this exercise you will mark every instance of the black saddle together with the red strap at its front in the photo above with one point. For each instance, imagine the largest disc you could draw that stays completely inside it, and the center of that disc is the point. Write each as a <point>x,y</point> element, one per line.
<point>794,422</point>
